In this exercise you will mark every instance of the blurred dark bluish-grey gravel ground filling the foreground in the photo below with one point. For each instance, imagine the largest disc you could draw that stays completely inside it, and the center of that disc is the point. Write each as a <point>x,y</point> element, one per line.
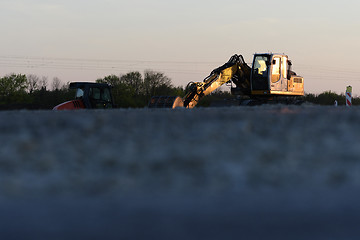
<point>267,172</point>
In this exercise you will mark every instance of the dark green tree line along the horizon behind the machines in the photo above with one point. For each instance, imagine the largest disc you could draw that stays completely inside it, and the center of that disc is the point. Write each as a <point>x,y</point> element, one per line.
<point>130,90</point>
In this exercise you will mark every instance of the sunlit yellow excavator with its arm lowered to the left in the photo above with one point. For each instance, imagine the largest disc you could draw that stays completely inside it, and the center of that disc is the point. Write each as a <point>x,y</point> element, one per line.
<point>269,80</point>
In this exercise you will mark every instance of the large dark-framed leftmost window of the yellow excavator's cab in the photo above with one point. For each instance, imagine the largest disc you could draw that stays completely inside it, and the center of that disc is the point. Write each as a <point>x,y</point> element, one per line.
<point>260,72</point>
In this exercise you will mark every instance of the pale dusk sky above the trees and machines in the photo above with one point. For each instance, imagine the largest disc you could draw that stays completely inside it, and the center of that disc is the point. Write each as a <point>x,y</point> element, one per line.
<point>82,40</point>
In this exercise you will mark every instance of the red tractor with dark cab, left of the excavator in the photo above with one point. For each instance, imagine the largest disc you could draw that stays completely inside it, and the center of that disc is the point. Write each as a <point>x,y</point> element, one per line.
<point>89,96</point>
